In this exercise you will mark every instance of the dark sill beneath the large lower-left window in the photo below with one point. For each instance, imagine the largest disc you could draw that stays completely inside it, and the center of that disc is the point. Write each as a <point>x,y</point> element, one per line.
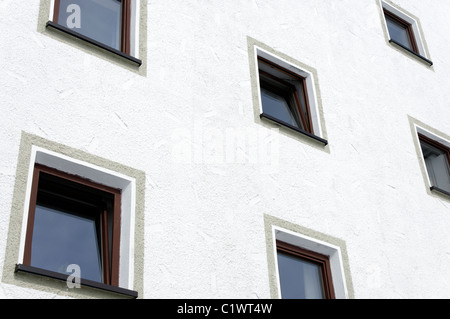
<point>83,282</point>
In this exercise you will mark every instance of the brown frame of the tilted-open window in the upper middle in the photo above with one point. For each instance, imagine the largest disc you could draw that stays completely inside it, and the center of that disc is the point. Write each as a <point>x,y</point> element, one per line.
<point>304,119</point>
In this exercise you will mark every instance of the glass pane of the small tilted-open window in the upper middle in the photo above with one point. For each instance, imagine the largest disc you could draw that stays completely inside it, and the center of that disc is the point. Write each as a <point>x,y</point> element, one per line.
<point>277,106</point>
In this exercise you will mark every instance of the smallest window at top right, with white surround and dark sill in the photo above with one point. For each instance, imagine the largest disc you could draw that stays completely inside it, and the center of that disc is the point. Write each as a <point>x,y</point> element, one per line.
<point>403,31</point>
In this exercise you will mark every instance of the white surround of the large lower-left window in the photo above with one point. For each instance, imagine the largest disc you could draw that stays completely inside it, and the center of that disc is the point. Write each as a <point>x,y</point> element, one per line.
<point>99,175</point>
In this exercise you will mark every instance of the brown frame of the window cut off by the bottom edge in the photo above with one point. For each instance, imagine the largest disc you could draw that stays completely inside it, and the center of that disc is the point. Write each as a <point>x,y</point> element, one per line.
<point>322,260</point>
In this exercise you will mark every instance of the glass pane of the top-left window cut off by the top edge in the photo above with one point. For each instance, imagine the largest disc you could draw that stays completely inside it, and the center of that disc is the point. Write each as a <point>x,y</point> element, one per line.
<point>97,19</point>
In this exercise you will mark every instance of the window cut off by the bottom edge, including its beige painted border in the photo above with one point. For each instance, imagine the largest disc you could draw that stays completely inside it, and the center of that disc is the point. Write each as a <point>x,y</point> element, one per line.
<point>304,263</point>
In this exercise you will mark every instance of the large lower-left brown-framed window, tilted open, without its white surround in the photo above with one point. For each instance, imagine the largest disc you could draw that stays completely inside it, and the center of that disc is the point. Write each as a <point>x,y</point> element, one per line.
<point>73,221</point>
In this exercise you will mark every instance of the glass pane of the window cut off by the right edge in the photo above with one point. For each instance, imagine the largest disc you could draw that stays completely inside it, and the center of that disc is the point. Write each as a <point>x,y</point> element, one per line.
<point>437,166</point>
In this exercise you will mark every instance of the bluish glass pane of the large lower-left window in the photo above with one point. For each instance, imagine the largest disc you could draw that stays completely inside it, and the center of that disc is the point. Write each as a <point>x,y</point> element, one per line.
<point>61,239</point>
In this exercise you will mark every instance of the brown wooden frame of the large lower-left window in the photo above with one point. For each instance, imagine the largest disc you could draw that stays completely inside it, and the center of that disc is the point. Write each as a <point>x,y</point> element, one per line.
<point>110,264</point>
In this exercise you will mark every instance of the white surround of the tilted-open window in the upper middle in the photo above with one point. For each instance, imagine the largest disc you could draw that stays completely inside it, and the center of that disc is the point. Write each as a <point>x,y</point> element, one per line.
<point>309,81</point>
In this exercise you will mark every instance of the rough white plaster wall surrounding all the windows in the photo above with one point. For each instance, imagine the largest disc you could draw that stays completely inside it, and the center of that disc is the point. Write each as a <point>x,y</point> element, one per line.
<point>204,213</point>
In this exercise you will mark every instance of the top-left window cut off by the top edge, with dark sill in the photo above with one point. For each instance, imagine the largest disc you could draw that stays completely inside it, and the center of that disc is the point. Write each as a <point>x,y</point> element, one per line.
<point>108,24</point>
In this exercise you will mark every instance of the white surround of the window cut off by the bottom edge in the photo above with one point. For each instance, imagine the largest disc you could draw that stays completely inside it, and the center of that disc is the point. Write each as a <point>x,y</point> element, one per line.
<point>318,246</point>
